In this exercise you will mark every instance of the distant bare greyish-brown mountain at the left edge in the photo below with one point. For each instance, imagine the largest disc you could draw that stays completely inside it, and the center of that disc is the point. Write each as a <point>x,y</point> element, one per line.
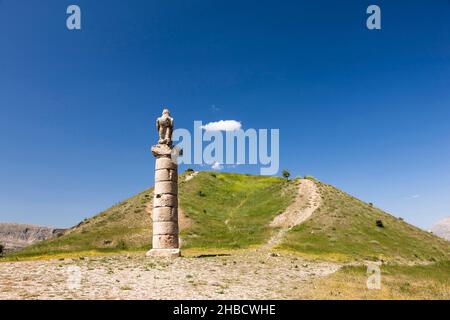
<point>17,236</point>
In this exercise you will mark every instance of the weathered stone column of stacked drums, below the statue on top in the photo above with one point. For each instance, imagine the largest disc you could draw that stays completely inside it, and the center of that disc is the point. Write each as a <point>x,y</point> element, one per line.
<point>165,204</point>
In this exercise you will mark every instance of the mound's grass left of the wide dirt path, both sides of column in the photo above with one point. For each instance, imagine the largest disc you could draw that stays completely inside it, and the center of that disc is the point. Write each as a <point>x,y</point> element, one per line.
<point>247,203</point>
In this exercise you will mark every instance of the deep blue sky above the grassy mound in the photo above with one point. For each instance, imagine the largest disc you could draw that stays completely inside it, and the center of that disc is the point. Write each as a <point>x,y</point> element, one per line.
<point>367,111</point>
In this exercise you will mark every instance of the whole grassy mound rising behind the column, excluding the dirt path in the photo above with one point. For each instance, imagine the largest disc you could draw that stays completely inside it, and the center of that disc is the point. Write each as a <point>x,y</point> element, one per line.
<point>233,211</point>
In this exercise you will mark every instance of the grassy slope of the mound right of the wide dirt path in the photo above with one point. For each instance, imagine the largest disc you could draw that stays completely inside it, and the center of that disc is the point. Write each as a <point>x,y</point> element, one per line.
<point>345,227</point>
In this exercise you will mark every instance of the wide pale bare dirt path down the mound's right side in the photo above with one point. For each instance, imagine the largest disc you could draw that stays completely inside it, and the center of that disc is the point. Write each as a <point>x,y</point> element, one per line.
<point>307,201</point>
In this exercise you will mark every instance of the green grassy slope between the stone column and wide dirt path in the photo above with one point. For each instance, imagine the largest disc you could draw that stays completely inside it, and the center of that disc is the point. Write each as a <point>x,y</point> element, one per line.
<point>232,210</point>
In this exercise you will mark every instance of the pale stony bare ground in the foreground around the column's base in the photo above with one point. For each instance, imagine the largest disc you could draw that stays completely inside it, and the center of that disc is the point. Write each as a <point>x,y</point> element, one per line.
<point>255,274</point>
